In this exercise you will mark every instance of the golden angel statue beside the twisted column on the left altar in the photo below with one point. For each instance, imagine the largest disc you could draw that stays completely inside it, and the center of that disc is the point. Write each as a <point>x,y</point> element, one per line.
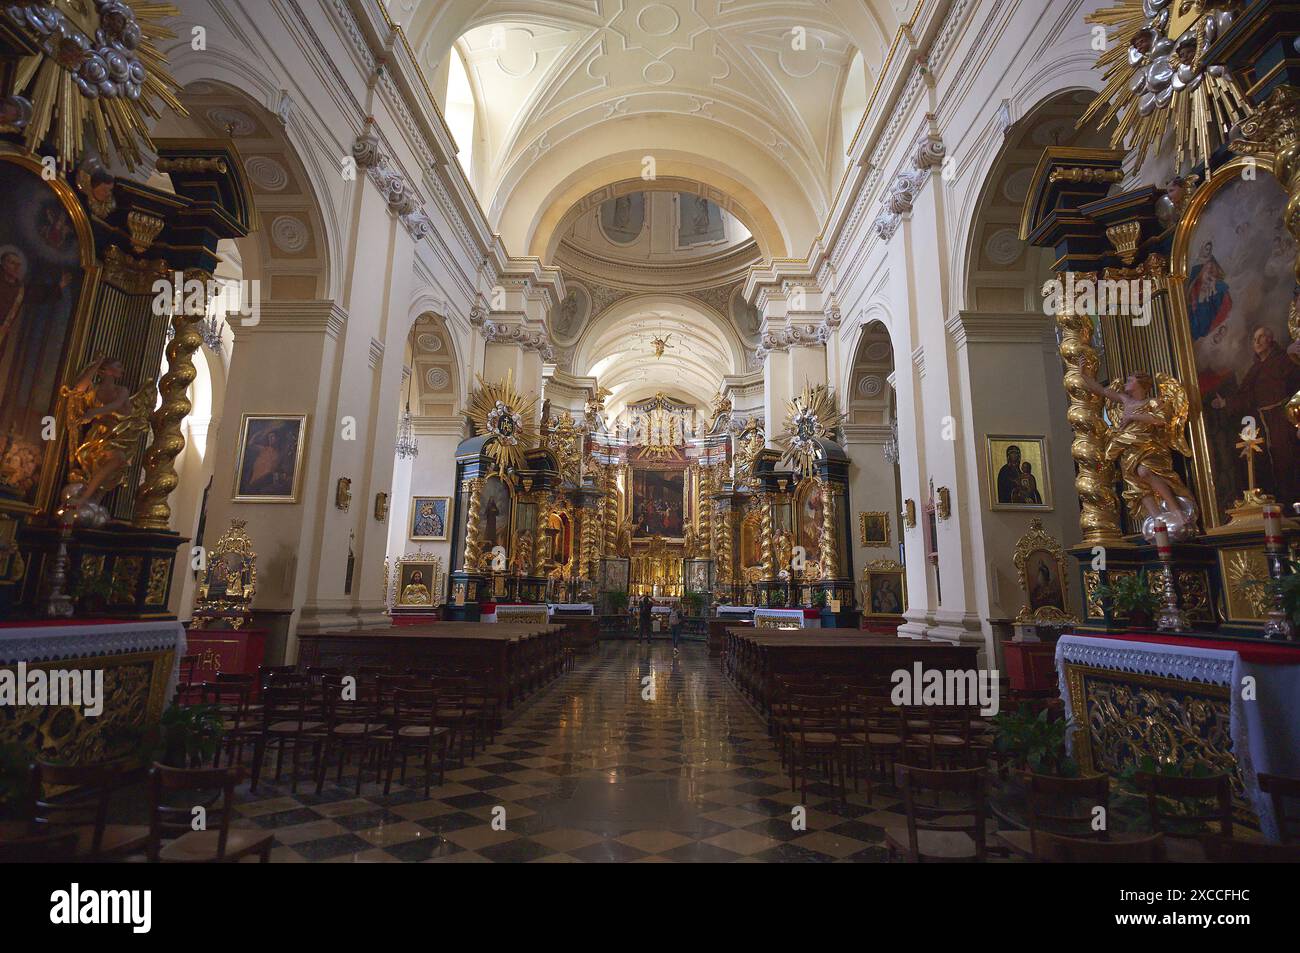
<point>105,423</point>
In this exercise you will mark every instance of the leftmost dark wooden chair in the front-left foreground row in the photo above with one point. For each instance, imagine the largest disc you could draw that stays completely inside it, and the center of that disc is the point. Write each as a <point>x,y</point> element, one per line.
<point>84,811</point>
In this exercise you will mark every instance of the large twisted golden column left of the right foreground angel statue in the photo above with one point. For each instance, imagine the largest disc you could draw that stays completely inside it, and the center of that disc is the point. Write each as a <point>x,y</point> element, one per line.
<point>1095,479</point>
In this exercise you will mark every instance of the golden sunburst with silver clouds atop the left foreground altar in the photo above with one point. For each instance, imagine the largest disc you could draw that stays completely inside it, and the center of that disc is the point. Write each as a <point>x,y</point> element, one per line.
<point>98,68</point>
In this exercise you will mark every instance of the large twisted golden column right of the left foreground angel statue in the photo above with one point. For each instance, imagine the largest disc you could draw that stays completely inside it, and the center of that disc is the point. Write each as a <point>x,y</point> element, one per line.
<point>159,475</point>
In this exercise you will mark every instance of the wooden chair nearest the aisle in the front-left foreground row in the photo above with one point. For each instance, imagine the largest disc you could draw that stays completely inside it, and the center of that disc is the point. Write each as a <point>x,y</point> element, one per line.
<point>172,837</point>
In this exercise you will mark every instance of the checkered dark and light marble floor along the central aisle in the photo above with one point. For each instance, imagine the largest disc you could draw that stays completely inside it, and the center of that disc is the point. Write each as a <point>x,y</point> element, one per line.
<point>635,756</point>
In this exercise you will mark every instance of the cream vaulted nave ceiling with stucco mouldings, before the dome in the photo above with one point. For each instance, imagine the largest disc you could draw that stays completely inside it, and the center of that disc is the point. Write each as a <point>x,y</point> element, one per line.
<point>739,96</point>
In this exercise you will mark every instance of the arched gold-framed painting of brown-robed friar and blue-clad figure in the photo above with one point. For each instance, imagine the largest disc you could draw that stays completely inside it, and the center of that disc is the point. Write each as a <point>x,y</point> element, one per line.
<point>1240,292</point>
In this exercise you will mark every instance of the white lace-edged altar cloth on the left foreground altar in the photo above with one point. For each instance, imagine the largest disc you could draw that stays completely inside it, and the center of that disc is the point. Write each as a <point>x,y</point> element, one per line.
<point>51,643</point>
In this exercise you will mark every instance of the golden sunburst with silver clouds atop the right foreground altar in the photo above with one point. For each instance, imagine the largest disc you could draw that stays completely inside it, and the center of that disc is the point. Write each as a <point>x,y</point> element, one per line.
<point>1156,76</point>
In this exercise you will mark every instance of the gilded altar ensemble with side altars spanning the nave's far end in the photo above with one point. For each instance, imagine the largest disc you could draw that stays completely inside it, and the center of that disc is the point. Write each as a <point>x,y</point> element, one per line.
<point>664,501</point>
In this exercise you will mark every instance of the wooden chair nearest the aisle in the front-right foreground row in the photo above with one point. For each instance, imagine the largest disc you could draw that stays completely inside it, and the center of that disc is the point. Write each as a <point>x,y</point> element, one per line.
<point>947,830</point>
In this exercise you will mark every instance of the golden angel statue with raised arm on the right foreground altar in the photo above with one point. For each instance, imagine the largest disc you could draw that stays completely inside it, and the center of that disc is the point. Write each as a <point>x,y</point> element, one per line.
<point>1147,422</point>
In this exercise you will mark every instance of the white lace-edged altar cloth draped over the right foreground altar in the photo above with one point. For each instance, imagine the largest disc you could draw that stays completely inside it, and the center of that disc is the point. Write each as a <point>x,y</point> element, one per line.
<point>1266,731</point>
